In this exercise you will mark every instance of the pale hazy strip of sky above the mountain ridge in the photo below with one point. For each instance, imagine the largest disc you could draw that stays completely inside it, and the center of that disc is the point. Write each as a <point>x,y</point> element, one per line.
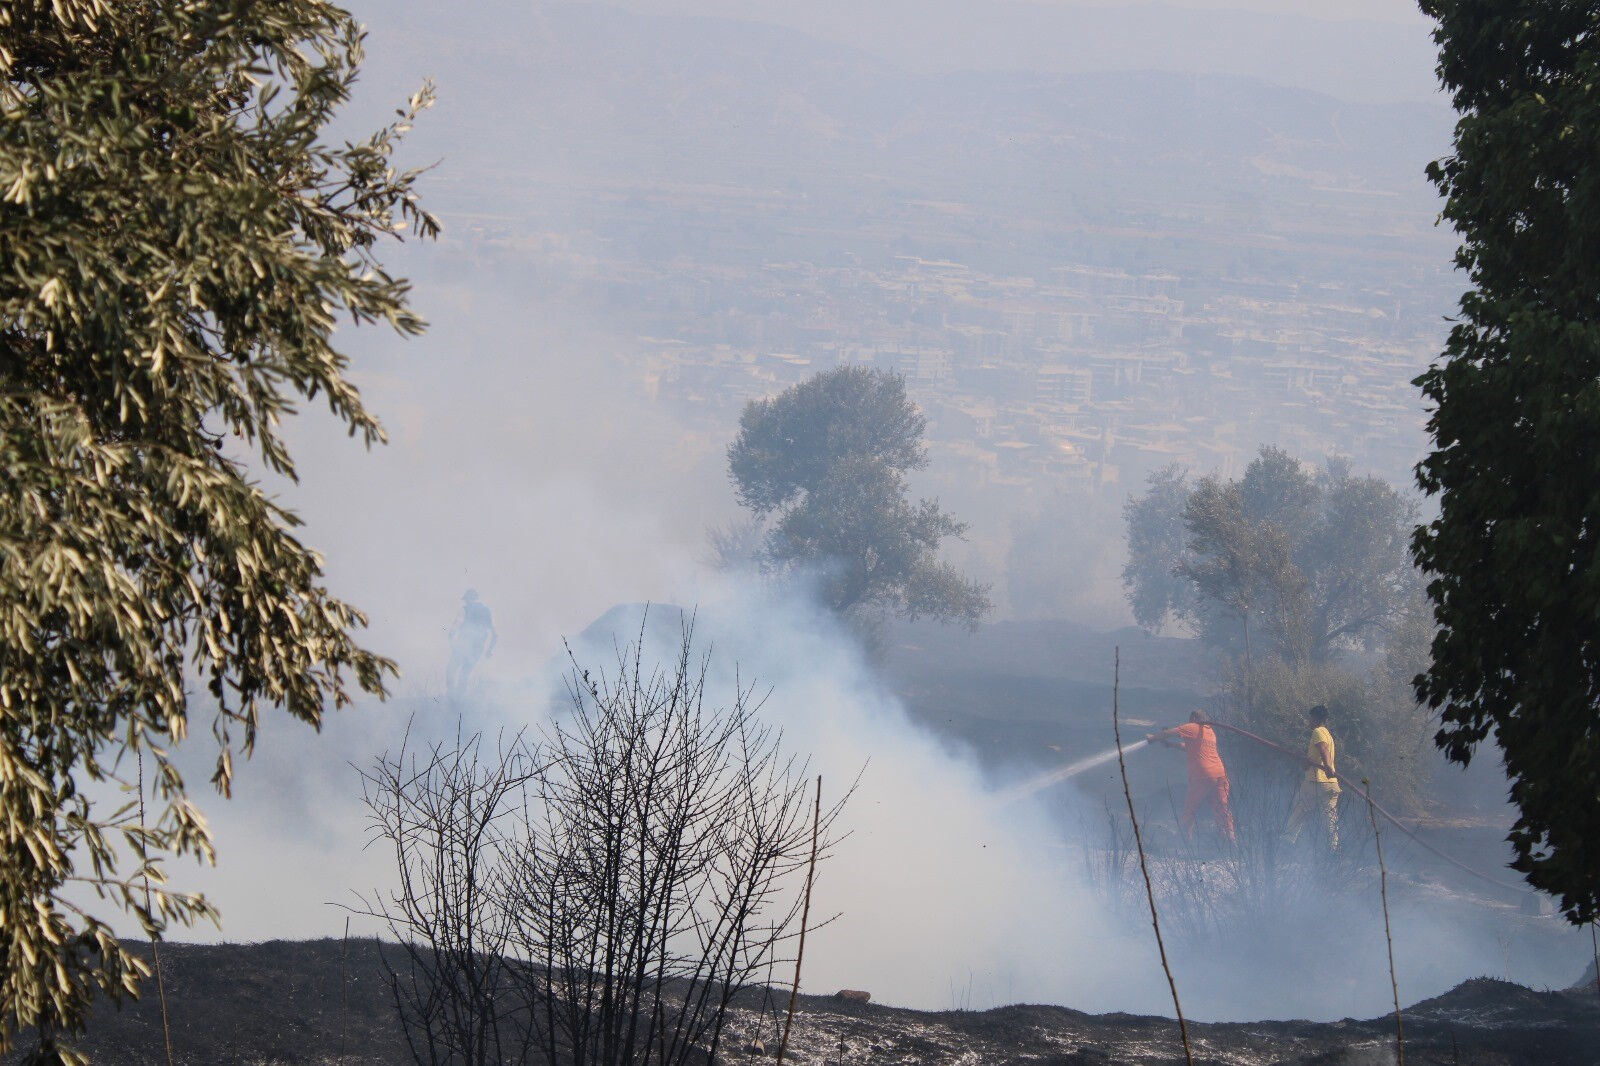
<point>1356,50</point>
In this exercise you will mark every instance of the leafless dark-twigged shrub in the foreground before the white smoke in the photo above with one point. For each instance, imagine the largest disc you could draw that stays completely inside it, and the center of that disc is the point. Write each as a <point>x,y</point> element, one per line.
<point>599,896</point>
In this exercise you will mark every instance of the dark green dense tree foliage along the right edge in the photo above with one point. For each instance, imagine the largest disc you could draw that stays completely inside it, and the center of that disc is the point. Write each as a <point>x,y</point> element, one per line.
<point>1514,553</point>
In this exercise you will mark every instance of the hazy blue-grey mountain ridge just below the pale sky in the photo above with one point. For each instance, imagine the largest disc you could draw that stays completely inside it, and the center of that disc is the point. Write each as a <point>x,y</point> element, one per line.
<point>580,90</point>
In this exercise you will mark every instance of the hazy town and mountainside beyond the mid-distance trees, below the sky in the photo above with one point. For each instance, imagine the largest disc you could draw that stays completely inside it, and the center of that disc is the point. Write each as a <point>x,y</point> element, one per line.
<point>1084,278</point>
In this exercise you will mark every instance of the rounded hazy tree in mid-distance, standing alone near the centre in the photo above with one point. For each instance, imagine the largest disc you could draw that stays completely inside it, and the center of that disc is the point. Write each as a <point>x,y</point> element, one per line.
<point>826,463</point>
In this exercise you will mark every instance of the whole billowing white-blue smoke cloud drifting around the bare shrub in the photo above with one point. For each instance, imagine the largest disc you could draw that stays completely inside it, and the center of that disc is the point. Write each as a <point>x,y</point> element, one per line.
<point>519,467</point>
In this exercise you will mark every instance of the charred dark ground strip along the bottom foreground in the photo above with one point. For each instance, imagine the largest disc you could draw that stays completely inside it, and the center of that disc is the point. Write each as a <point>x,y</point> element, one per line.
<point>324,1003</point>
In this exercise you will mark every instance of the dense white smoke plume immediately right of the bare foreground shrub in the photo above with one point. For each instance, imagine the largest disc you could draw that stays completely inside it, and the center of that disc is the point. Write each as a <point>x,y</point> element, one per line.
<point>943,897</point>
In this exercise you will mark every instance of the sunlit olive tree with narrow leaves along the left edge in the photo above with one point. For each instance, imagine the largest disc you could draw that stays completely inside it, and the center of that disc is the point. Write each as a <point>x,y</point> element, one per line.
<point>175,247</point>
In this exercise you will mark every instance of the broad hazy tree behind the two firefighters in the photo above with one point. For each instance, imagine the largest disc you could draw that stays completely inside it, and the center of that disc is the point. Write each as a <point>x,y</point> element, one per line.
<point>1286,572</point>
